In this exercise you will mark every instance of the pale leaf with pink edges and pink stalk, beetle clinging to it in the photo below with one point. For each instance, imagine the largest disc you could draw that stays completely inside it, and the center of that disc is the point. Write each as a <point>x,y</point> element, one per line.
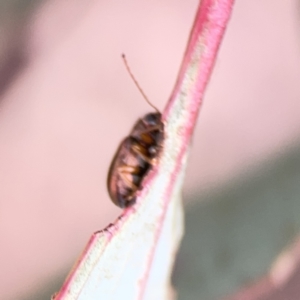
<point>133,258</point>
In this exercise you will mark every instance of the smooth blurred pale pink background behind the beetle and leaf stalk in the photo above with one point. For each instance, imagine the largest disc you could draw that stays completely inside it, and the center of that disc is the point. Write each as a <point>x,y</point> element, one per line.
<point>64,112</point>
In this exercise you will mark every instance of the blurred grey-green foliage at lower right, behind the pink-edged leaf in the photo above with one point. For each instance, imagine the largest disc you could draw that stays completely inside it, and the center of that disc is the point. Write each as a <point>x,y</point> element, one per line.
<point>235,232</point>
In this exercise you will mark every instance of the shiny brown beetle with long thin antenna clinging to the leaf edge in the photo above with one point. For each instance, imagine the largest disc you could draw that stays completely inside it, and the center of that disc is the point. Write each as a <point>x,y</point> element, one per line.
<point>135,156</point>
